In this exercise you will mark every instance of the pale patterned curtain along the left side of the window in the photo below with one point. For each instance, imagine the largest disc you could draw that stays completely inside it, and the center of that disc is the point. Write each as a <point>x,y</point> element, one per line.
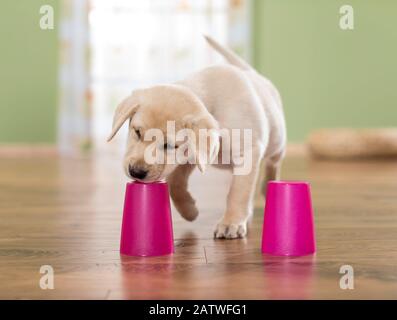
<point>75,105</point>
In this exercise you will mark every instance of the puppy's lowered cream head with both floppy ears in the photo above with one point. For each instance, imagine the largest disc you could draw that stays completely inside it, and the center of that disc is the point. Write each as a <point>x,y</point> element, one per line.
<point>149,111</point>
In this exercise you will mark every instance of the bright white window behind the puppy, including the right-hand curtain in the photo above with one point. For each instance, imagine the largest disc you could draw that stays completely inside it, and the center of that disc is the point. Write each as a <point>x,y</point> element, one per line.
<point>140,43</point>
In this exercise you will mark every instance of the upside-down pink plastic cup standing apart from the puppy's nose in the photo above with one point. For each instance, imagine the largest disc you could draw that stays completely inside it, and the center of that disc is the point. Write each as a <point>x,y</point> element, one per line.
<point>288,226</point>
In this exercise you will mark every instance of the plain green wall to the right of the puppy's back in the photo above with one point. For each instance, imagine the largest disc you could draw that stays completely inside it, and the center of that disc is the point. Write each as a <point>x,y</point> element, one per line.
<point>329,77</point>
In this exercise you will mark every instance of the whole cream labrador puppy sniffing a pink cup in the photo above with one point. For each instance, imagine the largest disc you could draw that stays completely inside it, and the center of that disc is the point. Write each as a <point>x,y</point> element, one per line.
<point>219,99</point>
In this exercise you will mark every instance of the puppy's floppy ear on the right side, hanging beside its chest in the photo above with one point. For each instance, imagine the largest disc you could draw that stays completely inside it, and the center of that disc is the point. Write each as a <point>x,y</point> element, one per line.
<point>207,146</point>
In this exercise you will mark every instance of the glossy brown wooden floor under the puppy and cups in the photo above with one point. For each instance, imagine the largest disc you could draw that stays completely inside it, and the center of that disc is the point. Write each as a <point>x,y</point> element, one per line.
<point>67,213</point>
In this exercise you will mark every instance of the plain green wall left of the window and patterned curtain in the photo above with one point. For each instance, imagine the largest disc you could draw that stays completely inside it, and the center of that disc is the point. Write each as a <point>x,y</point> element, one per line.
<point>28,73</point>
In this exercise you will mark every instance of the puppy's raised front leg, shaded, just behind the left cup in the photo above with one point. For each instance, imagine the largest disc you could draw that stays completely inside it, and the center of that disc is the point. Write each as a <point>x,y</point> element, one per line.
<point>181,197</point>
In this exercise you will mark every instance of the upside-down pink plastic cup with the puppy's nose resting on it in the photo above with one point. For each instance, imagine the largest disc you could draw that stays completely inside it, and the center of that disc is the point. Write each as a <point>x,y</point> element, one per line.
<point>147,221</point>
